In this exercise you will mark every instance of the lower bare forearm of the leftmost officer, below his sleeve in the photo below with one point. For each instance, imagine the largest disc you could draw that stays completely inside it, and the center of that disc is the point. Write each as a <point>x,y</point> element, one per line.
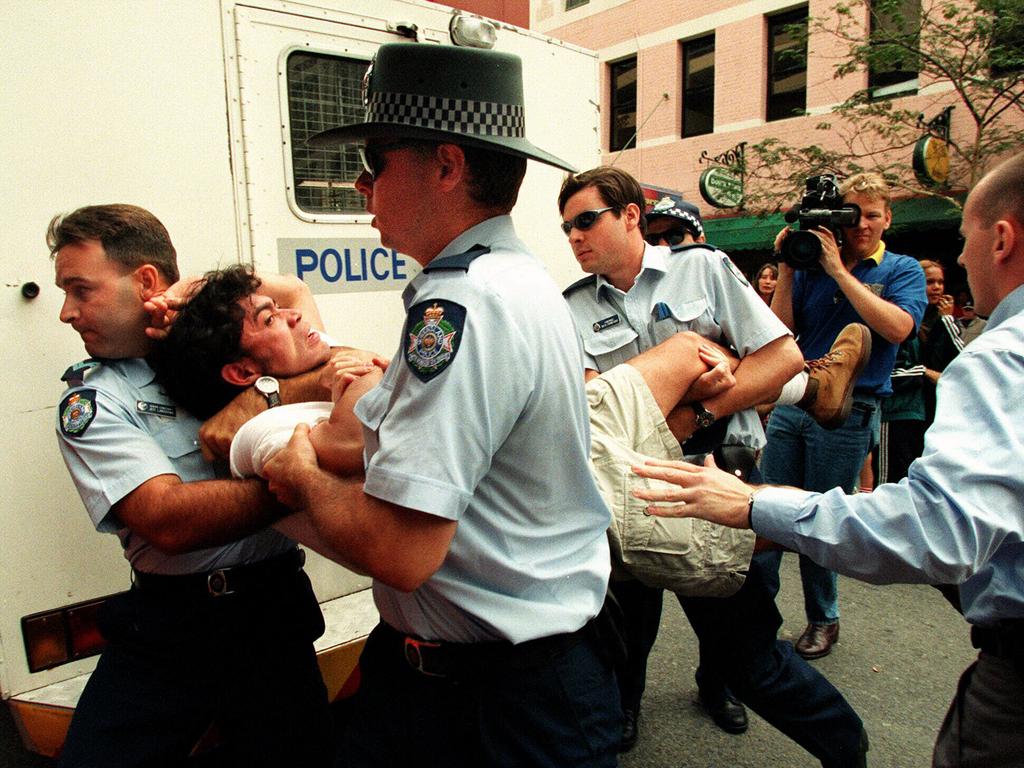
<point>177,517</point>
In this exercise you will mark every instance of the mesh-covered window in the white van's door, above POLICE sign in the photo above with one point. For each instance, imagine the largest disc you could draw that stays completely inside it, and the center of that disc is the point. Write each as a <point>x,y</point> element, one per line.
<point>324,93</point>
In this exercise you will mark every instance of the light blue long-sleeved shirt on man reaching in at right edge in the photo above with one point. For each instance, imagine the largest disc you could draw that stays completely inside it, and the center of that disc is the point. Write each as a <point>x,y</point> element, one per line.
<point>959,516</point>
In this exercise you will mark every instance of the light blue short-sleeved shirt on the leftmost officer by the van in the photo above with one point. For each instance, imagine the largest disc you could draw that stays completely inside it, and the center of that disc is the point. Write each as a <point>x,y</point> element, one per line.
<point>135,433</point>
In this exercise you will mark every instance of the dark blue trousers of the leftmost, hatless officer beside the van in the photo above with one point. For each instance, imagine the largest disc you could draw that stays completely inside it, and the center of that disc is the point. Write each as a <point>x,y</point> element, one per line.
<point>176,665</point>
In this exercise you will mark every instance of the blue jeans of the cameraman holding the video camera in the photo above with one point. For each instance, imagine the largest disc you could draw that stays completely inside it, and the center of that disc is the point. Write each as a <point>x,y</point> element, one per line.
<point>802,454</point>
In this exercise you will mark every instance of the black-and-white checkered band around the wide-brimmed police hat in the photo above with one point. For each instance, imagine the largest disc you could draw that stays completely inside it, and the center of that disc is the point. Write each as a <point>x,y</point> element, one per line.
<point>451,115</point>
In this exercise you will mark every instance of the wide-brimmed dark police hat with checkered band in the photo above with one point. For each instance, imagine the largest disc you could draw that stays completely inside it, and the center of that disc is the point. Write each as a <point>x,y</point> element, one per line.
<point>444,94</point>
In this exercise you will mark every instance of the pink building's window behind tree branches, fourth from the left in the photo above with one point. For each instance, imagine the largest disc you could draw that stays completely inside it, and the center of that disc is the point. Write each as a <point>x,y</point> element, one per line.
<point>895,39</point>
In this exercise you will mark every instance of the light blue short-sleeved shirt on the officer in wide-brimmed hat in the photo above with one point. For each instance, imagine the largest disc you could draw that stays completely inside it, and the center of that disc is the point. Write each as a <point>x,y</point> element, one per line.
<point>498,441</point>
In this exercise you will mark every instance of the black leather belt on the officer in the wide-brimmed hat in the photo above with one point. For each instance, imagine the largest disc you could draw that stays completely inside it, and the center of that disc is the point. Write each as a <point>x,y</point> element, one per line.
<point>445,660</point>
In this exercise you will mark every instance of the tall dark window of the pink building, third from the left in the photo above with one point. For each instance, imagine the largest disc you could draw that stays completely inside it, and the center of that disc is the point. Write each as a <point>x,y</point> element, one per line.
<point>788,65</point>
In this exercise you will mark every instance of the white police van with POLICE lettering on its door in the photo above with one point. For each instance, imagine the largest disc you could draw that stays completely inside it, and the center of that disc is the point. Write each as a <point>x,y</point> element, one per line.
<point>199,111</point>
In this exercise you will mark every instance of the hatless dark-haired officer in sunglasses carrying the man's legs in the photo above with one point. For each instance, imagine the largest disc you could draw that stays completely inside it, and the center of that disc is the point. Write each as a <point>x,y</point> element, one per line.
<point>636,296</point>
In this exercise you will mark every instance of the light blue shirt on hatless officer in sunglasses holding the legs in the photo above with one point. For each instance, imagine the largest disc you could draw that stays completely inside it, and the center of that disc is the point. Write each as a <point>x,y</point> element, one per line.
<point>697,289</point>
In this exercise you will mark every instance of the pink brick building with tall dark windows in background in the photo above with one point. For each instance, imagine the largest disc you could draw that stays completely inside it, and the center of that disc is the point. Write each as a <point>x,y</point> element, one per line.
<point>694,79</point>
